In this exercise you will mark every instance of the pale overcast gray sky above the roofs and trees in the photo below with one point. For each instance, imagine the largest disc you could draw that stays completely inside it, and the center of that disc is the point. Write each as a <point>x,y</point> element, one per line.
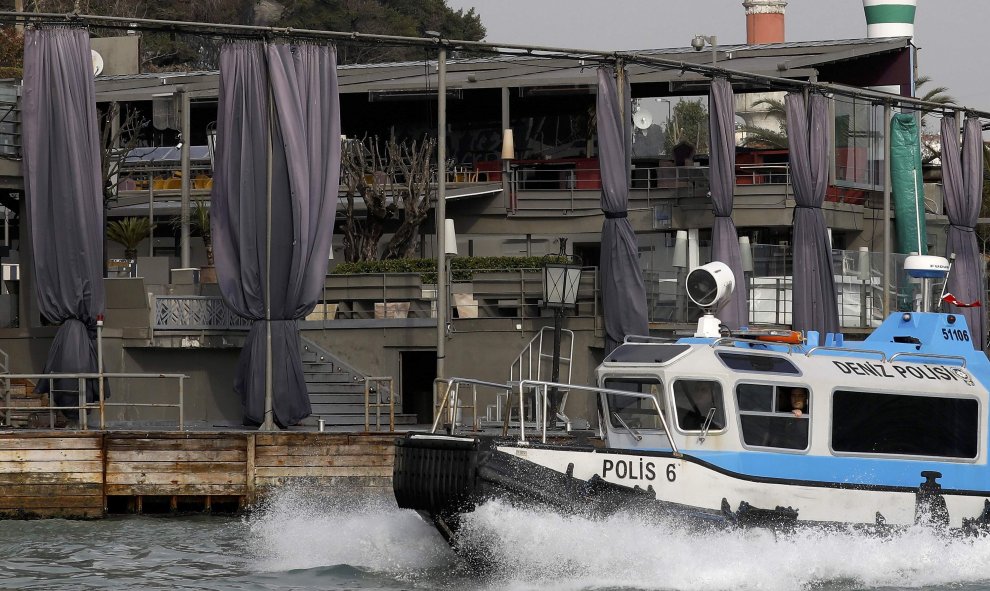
<point>951,34</point>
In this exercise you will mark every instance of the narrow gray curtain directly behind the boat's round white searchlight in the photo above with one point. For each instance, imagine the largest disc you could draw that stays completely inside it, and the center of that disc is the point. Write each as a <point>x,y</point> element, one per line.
<point>725,241</point>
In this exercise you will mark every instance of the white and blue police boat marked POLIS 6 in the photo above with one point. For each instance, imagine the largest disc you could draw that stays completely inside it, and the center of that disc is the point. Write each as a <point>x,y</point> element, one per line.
<point>765,428</point>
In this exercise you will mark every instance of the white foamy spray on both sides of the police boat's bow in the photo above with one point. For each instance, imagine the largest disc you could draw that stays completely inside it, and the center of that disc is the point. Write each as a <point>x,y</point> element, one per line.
<point>532,549</point>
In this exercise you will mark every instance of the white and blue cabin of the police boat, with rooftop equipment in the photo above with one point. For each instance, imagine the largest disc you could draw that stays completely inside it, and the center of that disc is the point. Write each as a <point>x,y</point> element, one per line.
<point>915,389</point>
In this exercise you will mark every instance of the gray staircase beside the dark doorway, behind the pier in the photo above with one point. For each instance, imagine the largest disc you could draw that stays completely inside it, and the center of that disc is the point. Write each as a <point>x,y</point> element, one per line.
<point>336,391</point>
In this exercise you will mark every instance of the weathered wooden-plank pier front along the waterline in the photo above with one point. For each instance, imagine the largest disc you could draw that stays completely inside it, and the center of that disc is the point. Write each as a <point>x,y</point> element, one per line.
<point>82,474</point>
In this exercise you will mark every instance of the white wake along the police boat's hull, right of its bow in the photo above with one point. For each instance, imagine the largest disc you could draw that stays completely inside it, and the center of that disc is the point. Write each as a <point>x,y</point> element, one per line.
<point>539,550</point>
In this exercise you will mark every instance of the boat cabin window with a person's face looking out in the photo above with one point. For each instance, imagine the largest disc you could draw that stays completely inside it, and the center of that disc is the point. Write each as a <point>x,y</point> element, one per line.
<point>774,416</point>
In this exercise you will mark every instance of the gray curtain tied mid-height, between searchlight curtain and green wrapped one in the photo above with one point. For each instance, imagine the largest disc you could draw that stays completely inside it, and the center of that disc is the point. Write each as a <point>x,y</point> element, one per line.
<point>814,302</point>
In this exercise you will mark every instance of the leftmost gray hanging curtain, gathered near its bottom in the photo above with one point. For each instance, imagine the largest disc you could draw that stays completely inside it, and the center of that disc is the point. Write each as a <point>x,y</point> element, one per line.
<point>62,182</point>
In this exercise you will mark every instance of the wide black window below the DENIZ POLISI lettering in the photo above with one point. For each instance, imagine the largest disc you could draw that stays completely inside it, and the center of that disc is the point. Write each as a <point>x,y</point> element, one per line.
<point>867,422</point>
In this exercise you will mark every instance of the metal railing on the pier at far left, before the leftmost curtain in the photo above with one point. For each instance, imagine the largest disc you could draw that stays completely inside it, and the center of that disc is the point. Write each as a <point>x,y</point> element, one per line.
<point>57,385</point>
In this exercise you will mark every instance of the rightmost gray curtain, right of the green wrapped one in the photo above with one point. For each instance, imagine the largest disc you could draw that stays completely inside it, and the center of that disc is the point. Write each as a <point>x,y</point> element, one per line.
<point>962,178</point>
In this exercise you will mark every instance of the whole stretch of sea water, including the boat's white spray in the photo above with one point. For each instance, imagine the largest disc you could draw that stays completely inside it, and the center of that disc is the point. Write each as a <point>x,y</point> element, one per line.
<point>306,540</point>
